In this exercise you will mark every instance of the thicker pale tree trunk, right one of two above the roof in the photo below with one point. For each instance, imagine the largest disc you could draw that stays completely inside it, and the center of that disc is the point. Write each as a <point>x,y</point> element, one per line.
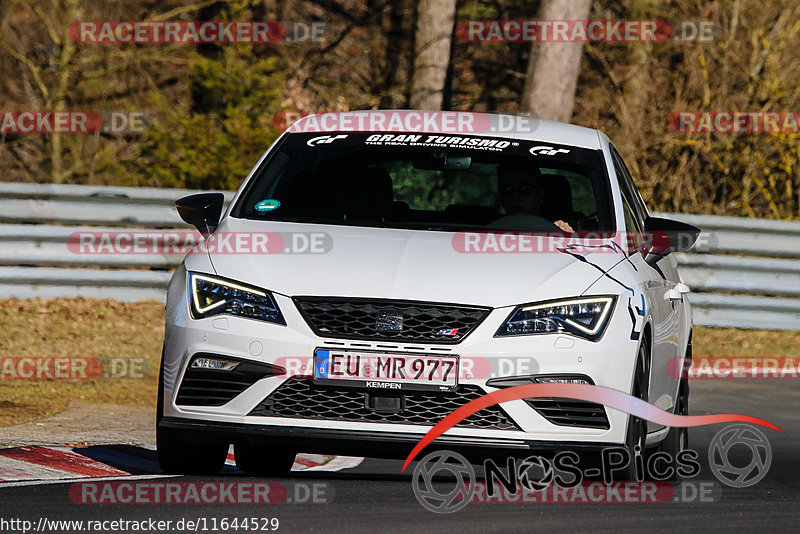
<point>553,68</point>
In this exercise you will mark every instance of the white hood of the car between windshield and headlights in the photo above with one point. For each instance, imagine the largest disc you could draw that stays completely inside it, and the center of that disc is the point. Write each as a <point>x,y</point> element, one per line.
<point>408,264</point>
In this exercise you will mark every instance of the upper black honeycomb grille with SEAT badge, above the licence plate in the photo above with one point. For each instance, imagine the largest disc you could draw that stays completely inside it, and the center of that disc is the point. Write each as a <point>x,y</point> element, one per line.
<point>385,320</point>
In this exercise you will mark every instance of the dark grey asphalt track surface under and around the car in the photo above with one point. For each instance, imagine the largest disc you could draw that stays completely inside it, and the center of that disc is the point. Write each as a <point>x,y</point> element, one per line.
<point>376,497</point>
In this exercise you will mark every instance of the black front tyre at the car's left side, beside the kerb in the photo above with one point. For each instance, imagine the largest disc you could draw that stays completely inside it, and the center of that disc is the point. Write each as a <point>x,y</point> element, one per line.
<point>177,457</point>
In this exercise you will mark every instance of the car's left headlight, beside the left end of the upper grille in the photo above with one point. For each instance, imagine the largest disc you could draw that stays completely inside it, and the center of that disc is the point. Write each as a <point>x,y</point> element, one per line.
<point>211,296</point>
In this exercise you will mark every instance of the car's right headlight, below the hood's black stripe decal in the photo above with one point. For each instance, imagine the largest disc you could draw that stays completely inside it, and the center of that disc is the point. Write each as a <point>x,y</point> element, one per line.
<point>583,316</point>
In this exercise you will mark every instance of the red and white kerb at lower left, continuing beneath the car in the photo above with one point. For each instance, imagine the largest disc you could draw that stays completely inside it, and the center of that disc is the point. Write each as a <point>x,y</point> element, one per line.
<point>51,464</point>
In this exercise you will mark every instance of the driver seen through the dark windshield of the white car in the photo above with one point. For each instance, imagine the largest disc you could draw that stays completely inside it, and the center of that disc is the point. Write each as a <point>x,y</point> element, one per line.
<point>523,191</point>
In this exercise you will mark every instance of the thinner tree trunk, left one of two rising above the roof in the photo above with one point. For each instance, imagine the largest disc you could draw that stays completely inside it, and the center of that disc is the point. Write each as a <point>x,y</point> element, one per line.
<point>432,52</point>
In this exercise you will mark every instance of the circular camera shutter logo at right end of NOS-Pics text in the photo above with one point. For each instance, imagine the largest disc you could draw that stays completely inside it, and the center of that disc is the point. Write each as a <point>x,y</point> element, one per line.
<point>719,452</point>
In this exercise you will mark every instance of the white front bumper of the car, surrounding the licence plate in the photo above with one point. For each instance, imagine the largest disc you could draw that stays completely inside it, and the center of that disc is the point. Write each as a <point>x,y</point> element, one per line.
<point>608,362</point>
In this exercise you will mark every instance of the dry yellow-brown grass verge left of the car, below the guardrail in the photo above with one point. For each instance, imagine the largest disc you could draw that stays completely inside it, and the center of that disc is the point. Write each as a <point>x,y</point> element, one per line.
<point>126,337</point>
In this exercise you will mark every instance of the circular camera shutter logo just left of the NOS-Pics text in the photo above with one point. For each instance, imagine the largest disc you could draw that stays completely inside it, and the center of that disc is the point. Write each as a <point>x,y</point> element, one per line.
<point>452,465</point>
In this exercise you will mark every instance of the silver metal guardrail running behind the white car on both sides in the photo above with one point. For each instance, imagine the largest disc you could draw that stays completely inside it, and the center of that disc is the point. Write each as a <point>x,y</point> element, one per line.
<point>747,276</point>
